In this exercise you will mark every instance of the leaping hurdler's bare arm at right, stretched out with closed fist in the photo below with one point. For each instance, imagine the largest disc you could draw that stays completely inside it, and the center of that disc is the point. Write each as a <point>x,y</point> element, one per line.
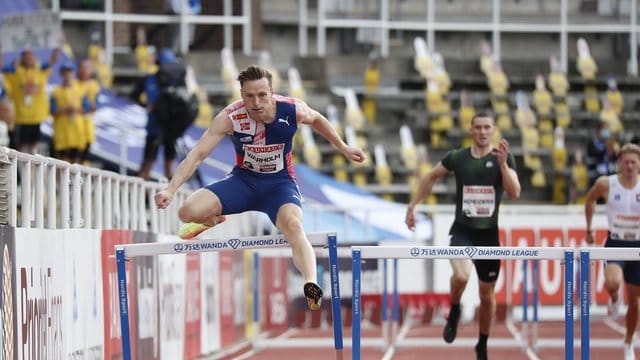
<point>322,126</point>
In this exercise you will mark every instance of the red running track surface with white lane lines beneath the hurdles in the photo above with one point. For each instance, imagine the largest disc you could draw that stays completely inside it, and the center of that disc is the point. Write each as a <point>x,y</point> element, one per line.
<point>606,343</point>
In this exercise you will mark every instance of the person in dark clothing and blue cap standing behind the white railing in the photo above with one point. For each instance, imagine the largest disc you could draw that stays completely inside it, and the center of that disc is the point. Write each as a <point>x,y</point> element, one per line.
<point>150,87</point>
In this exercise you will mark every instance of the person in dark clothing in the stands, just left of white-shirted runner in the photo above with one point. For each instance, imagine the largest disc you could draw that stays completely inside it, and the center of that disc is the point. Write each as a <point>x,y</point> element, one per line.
<point>601,155</point>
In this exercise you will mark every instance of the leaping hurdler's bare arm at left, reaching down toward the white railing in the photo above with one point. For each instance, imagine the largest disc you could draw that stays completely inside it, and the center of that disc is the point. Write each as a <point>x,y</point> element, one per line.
<point>220,126</point>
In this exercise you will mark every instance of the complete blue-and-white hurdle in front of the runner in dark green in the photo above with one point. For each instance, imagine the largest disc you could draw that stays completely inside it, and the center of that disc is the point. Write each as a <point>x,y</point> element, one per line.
<point>461,252</point>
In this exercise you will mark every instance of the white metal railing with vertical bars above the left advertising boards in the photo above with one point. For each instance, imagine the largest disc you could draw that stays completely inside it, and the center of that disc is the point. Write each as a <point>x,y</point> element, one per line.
<point>42,192</point>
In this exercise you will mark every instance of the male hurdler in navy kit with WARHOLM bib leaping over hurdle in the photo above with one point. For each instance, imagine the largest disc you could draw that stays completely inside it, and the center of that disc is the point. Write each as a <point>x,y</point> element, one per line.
<point>262,126</point>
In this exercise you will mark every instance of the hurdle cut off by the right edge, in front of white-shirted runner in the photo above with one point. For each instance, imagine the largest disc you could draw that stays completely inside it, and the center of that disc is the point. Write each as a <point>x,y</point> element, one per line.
<point>586,255</point>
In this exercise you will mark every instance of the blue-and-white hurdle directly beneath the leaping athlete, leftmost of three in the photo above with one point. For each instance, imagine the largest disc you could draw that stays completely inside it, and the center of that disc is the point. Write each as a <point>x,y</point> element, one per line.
<point>123,252</point>
